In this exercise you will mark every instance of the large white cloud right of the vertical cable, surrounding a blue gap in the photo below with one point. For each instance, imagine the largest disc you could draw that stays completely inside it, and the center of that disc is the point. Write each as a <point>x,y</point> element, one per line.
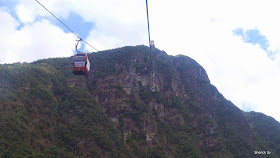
<point>242,72</point>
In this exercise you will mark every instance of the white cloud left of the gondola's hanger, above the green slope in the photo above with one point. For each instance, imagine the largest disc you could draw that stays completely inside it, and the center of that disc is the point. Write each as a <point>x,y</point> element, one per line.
<point>33,41</point>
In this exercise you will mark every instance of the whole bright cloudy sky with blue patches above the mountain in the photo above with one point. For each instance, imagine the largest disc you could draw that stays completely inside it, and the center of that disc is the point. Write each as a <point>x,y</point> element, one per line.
<point>236,41</point>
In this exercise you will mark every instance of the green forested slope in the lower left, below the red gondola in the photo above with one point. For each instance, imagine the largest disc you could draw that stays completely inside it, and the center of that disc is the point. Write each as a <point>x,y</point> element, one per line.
<point>42,117</point>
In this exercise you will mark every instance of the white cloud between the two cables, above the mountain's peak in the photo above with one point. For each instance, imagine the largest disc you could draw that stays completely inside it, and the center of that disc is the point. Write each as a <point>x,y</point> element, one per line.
<point>117,23</point>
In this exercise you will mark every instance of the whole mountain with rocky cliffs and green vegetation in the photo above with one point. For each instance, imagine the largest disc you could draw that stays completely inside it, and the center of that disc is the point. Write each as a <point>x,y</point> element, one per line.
<point>46,111</point>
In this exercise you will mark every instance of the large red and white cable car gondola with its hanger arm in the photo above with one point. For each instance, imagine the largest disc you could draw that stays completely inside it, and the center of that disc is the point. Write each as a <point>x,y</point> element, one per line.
<point>81,64</point>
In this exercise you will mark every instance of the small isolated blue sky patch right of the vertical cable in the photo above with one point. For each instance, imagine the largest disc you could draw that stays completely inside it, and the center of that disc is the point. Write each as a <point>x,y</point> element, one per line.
<point>252,36</point>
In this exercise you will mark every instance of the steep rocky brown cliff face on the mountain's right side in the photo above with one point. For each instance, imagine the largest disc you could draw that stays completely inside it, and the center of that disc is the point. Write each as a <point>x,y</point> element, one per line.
<point>184,98</point>
